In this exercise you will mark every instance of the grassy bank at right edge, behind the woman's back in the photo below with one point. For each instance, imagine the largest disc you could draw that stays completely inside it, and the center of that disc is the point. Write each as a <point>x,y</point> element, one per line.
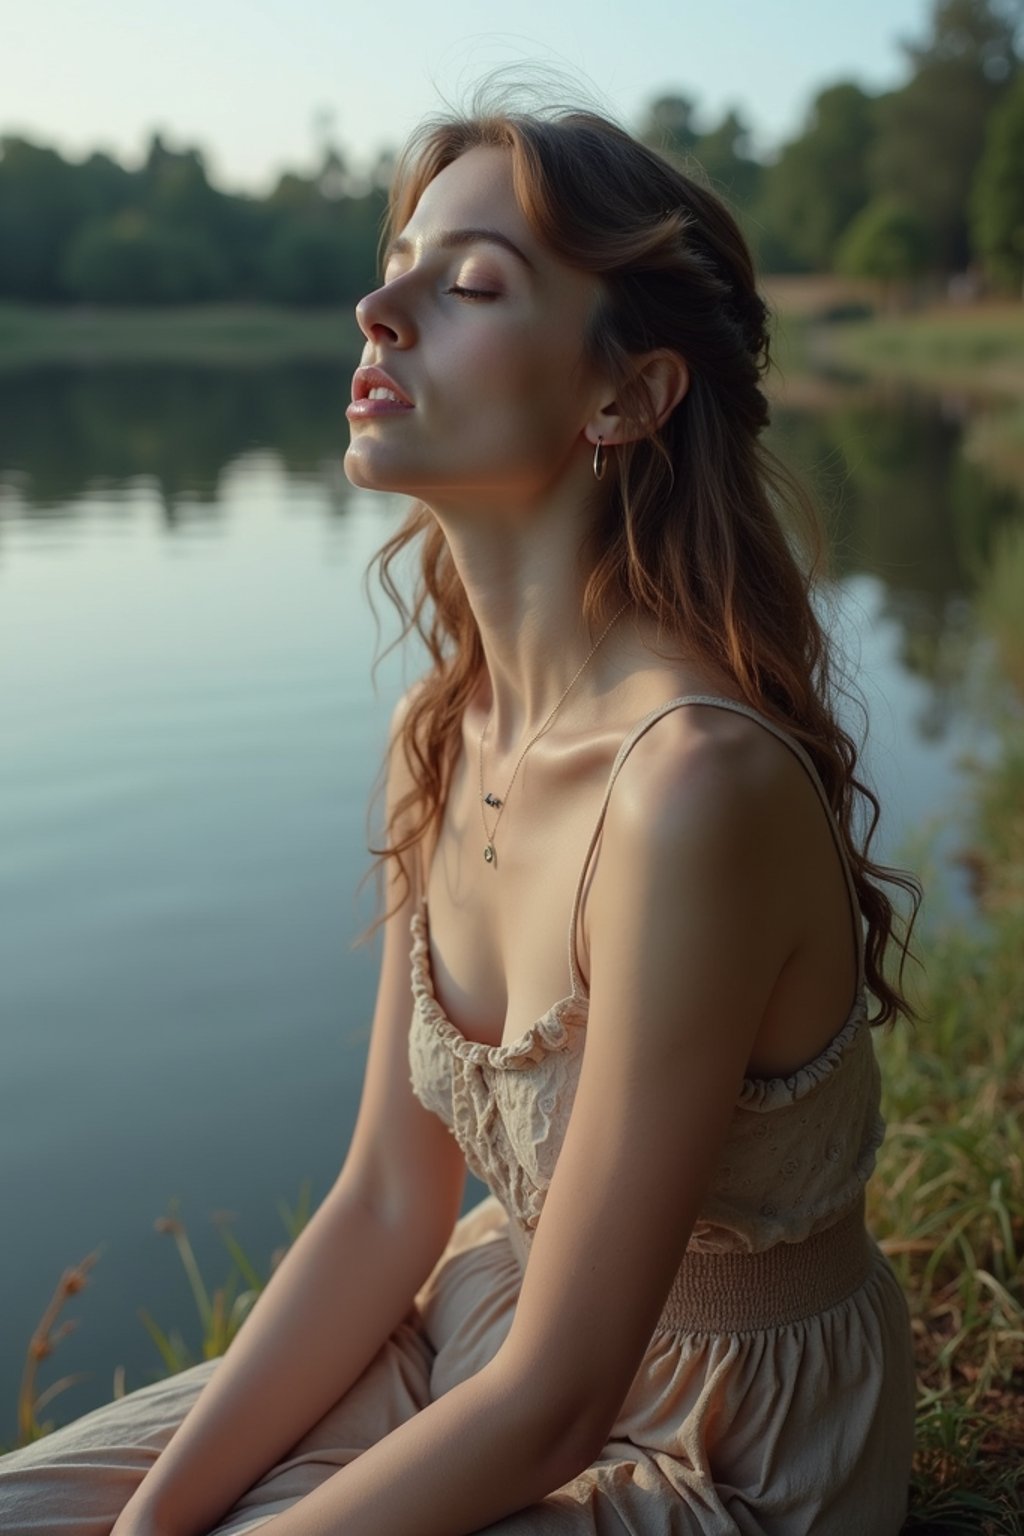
<point>948,1197</point>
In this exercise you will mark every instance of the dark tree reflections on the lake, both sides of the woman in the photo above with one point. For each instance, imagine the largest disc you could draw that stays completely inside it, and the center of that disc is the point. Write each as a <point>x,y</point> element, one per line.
<point>902,502</point>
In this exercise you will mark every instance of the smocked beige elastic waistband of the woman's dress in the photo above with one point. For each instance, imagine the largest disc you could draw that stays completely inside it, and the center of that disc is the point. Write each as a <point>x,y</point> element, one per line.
<point>745,1293</point>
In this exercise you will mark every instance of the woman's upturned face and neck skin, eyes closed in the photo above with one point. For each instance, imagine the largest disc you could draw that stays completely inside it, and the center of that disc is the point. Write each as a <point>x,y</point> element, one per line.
<point>503,439</point>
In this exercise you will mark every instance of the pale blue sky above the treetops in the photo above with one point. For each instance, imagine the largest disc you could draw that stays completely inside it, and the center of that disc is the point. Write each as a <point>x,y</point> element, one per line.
<point>245,79</point>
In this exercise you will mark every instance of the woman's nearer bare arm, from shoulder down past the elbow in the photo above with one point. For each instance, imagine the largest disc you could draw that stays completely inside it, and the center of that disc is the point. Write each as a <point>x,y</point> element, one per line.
<point>690,929</point>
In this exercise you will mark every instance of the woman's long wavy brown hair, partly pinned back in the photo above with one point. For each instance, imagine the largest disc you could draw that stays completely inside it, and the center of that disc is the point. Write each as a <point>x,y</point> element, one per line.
<point>698,526</point>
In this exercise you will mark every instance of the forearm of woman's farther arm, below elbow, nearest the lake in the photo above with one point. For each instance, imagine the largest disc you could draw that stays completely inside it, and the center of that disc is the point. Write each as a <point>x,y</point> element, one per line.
<point>342,1289</point>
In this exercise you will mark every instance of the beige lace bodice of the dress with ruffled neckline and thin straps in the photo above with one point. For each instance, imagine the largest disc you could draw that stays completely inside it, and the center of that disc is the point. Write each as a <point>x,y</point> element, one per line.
<point>799,1150</point>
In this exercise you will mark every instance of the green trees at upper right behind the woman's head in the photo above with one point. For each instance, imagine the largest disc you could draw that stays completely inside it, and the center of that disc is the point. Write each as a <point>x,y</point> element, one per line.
<point>916,182</point>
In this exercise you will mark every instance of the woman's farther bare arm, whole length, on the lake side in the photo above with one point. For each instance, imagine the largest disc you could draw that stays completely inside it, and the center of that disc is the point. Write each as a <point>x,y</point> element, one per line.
<point>339,1294</point>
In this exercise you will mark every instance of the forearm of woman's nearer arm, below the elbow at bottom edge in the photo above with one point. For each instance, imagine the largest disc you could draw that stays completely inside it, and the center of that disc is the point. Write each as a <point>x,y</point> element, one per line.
<point>483,1451</point>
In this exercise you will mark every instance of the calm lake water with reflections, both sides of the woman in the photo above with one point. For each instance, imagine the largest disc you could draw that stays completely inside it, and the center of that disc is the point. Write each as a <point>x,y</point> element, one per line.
<point>190,743</point>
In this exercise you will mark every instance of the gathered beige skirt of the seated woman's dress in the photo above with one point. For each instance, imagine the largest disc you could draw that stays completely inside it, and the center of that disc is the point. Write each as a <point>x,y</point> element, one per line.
<point>804,1429</point>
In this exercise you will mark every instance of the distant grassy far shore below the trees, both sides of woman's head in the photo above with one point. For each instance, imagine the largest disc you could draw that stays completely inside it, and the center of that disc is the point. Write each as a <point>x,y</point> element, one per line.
<point>977,351</point>
